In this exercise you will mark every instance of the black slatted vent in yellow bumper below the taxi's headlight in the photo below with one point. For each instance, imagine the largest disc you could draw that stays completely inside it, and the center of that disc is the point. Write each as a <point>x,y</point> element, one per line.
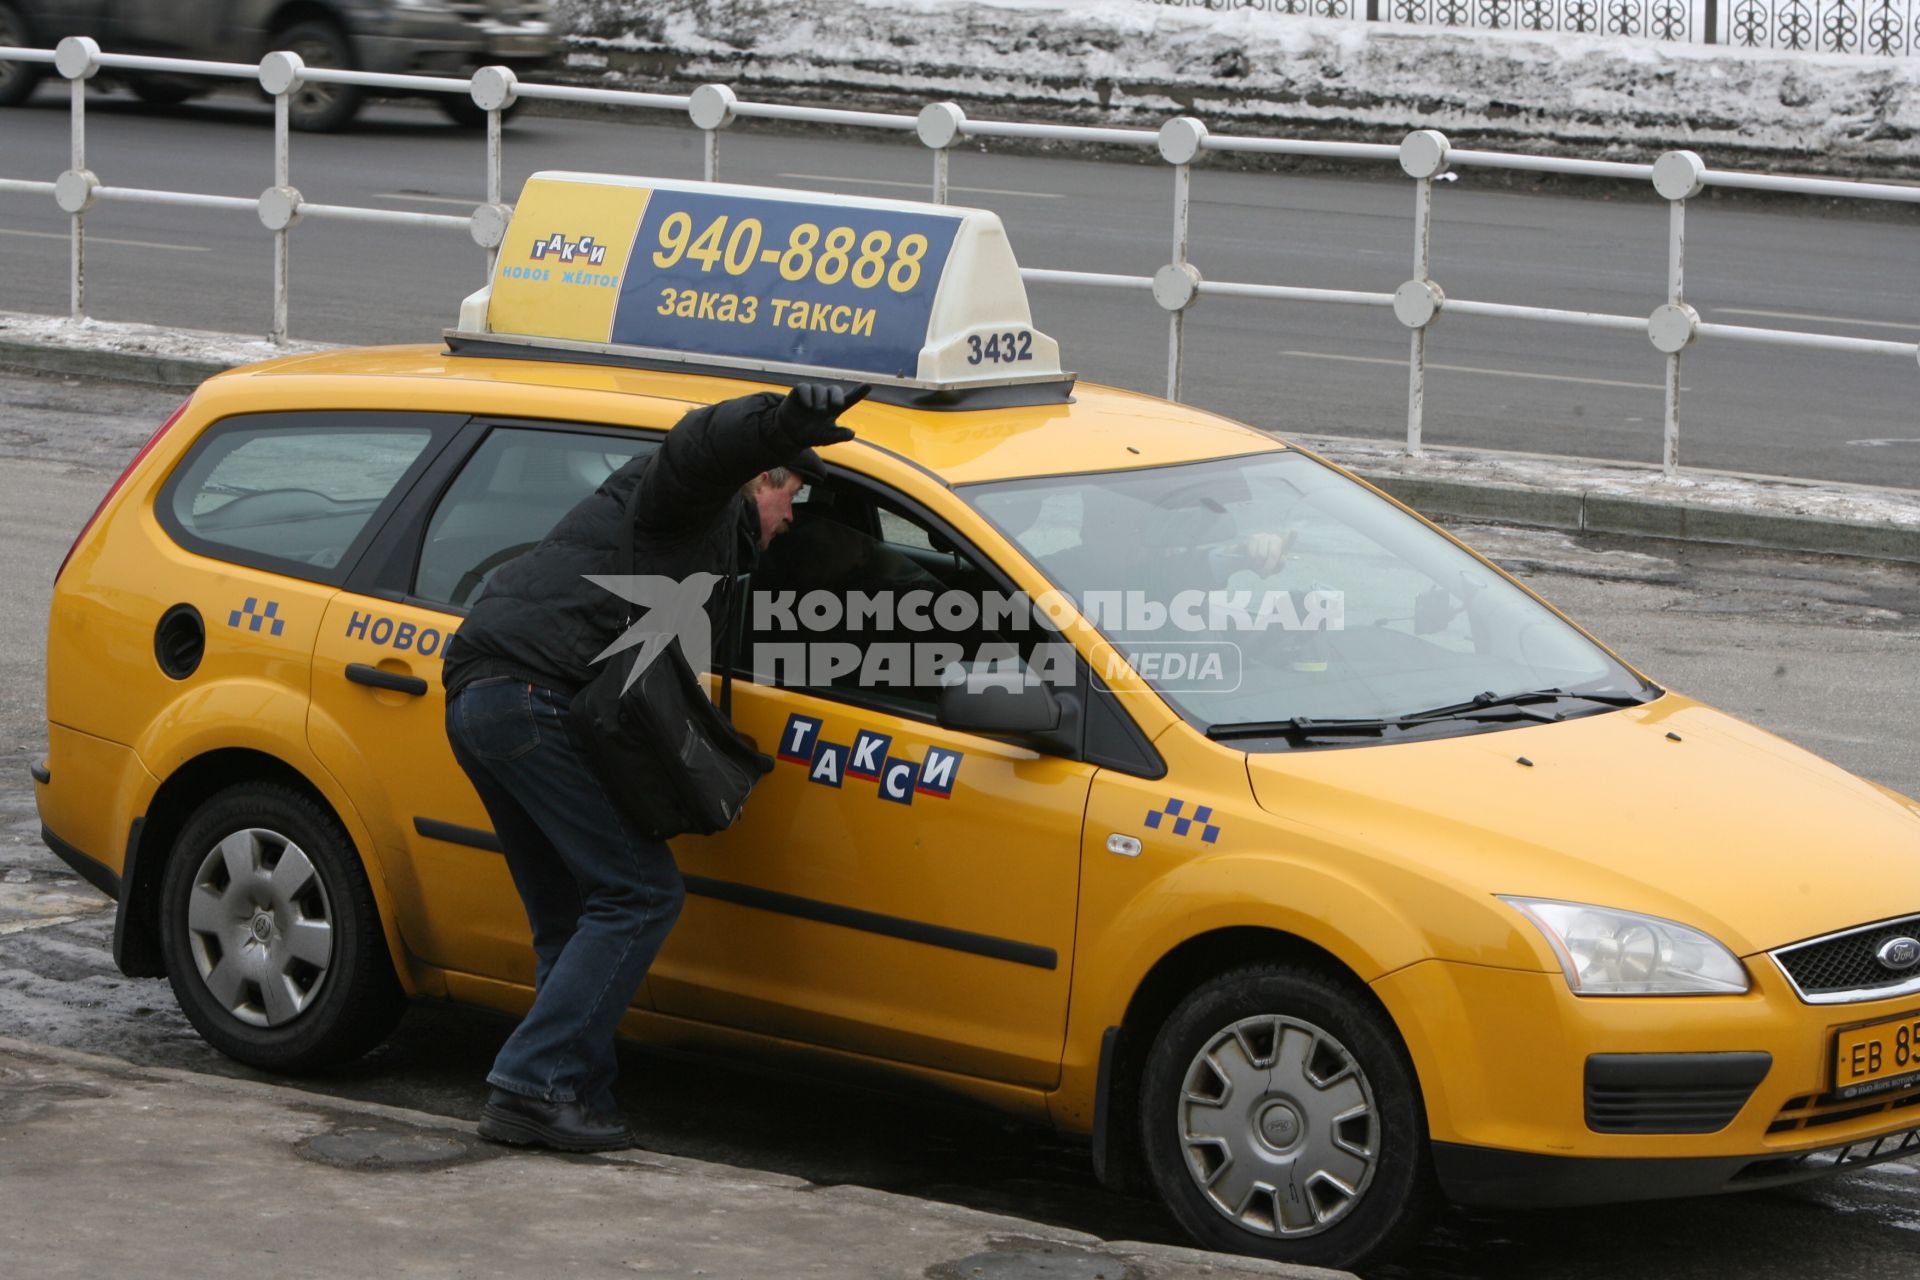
<point>1669,1093</point>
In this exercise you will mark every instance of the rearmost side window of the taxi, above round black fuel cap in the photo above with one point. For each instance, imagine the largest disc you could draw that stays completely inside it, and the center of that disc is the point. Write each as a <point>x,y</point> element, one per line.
<point>297,494</point>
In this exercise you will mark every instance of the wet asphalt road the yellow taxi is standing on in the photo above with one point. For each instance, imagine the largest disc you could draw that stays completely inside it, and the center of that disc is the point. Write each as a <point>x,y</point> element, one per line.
<point>1825,652</point>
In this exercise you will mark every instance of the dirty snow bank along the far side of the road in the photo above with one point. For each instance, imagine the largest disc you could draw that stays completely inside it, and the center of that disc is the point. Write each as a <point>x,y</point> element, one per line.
<point>1109,62</point>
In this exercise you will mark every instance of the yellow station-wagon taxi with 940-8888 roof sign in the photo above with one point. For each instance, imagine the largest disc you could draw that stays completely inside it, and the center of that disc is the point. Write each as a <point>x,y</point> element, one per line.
<point>1328,874</point>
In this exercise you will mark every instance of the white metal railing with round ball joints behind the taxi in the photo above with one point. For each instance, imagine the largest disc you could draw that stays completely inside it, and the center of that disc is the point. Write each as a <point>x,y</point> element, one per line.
<point>1182,143</point>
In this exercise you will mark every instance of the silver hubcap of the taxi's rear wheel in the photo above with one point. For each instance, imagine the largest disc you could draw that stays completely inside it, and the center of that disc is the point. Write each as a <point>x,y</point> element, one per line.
<point>260,928</point>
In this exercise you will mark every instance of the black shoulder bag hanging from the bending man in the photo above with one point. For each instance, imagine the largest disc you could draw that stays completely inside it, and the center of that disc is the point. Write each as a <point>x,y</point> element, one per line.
<point>667,755</point>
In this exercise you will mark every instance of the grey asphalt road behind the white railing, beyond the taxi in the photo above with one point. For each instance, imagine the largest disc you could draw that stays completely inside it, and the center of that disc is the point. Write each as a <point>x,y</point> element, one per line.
<point>1291,367</point>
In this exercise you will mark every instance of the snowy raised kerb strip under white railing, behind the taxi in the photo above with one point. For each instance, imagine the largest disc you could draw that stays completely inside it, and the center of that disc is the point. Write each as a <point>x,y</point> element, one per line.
<point>1481,485</point>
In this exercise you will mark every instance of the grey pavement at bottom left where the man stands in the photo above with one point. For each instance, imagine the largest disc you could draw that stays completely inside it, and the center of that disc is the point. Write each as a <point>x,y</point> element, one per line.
<point>110,1170</point>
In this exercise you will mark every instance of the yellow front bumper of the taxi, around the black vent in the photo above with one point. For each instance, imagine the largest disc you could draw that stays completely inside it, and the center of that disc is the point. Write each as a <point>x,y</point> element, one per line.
<point>1537,1097</point>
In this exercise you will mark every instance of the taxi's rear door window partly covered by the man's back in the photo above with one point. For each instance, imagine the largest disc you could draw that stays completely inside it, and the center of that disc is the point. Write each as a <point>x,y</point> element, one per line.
<point>516,488</point>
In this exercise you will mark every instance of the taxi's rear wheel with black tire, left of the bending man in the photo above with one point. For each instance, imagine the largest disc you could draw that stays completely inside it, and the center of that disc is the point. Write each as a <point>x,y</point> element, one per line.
<point>272,934</point>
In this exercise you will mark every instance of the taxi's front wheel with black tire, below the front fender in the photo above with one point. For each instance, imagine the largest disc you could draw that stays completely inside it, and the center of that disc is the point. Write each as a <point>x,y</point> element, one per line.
<point>1282,1118</point>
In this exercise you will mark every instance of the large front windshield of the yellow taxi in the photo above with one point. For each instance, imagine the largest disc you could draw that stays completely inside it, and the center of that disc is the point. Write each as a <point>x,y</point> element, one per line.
<point>1270,588</point>
